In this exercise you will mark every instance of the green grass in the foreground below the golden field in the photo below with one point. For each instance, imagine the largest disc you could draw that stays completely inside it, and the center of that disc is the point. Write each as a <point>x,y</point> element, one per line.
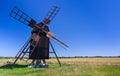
<point>64,70</point>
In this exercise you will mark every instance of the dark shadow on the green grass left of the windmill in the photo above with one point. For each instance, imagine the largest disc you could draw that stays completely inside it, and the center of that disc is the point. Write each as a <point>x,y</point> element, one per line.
<point>10,66</point>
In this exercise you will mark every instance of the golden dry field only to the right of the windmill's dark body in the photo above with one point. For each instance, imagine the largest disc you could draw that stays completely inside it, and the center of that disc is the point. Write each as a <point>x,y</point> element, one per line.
<point>96,61</point>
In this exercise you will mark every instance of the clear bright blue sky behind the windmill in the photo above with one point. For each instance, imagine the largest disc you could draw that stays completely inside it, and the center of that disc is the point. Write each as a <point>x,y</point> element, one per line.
<point>91,27</point>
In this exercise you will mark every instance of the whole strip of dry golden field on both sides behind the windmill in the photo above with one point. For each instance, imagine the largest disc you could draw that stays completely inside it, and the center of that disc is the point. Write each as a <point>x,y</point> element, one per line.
<point>95,61</point>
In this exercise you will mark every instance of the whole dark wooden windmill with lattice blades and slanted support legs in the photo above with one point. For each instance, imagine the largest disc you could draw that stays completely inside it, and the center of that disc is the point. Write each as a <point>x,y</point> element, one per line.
<point>37,46</point>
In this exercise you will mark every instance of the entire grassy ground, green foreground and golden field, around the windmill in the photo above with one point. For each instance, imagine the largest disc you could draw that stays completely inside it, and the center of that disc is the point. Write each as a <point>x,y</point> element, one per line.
<point>70,67</point>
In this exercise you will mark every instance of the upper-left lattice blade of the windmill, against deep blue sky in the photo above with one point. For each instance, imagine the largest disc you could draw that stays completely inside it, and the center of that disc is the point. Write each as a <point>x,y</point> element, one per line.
<point>22,17</point>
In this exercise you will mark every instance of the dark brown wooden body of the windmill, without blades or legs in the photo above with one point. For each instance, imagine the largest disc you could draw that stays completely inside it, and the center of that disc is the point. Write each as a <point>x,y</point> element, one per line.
<point>41,51</point>
